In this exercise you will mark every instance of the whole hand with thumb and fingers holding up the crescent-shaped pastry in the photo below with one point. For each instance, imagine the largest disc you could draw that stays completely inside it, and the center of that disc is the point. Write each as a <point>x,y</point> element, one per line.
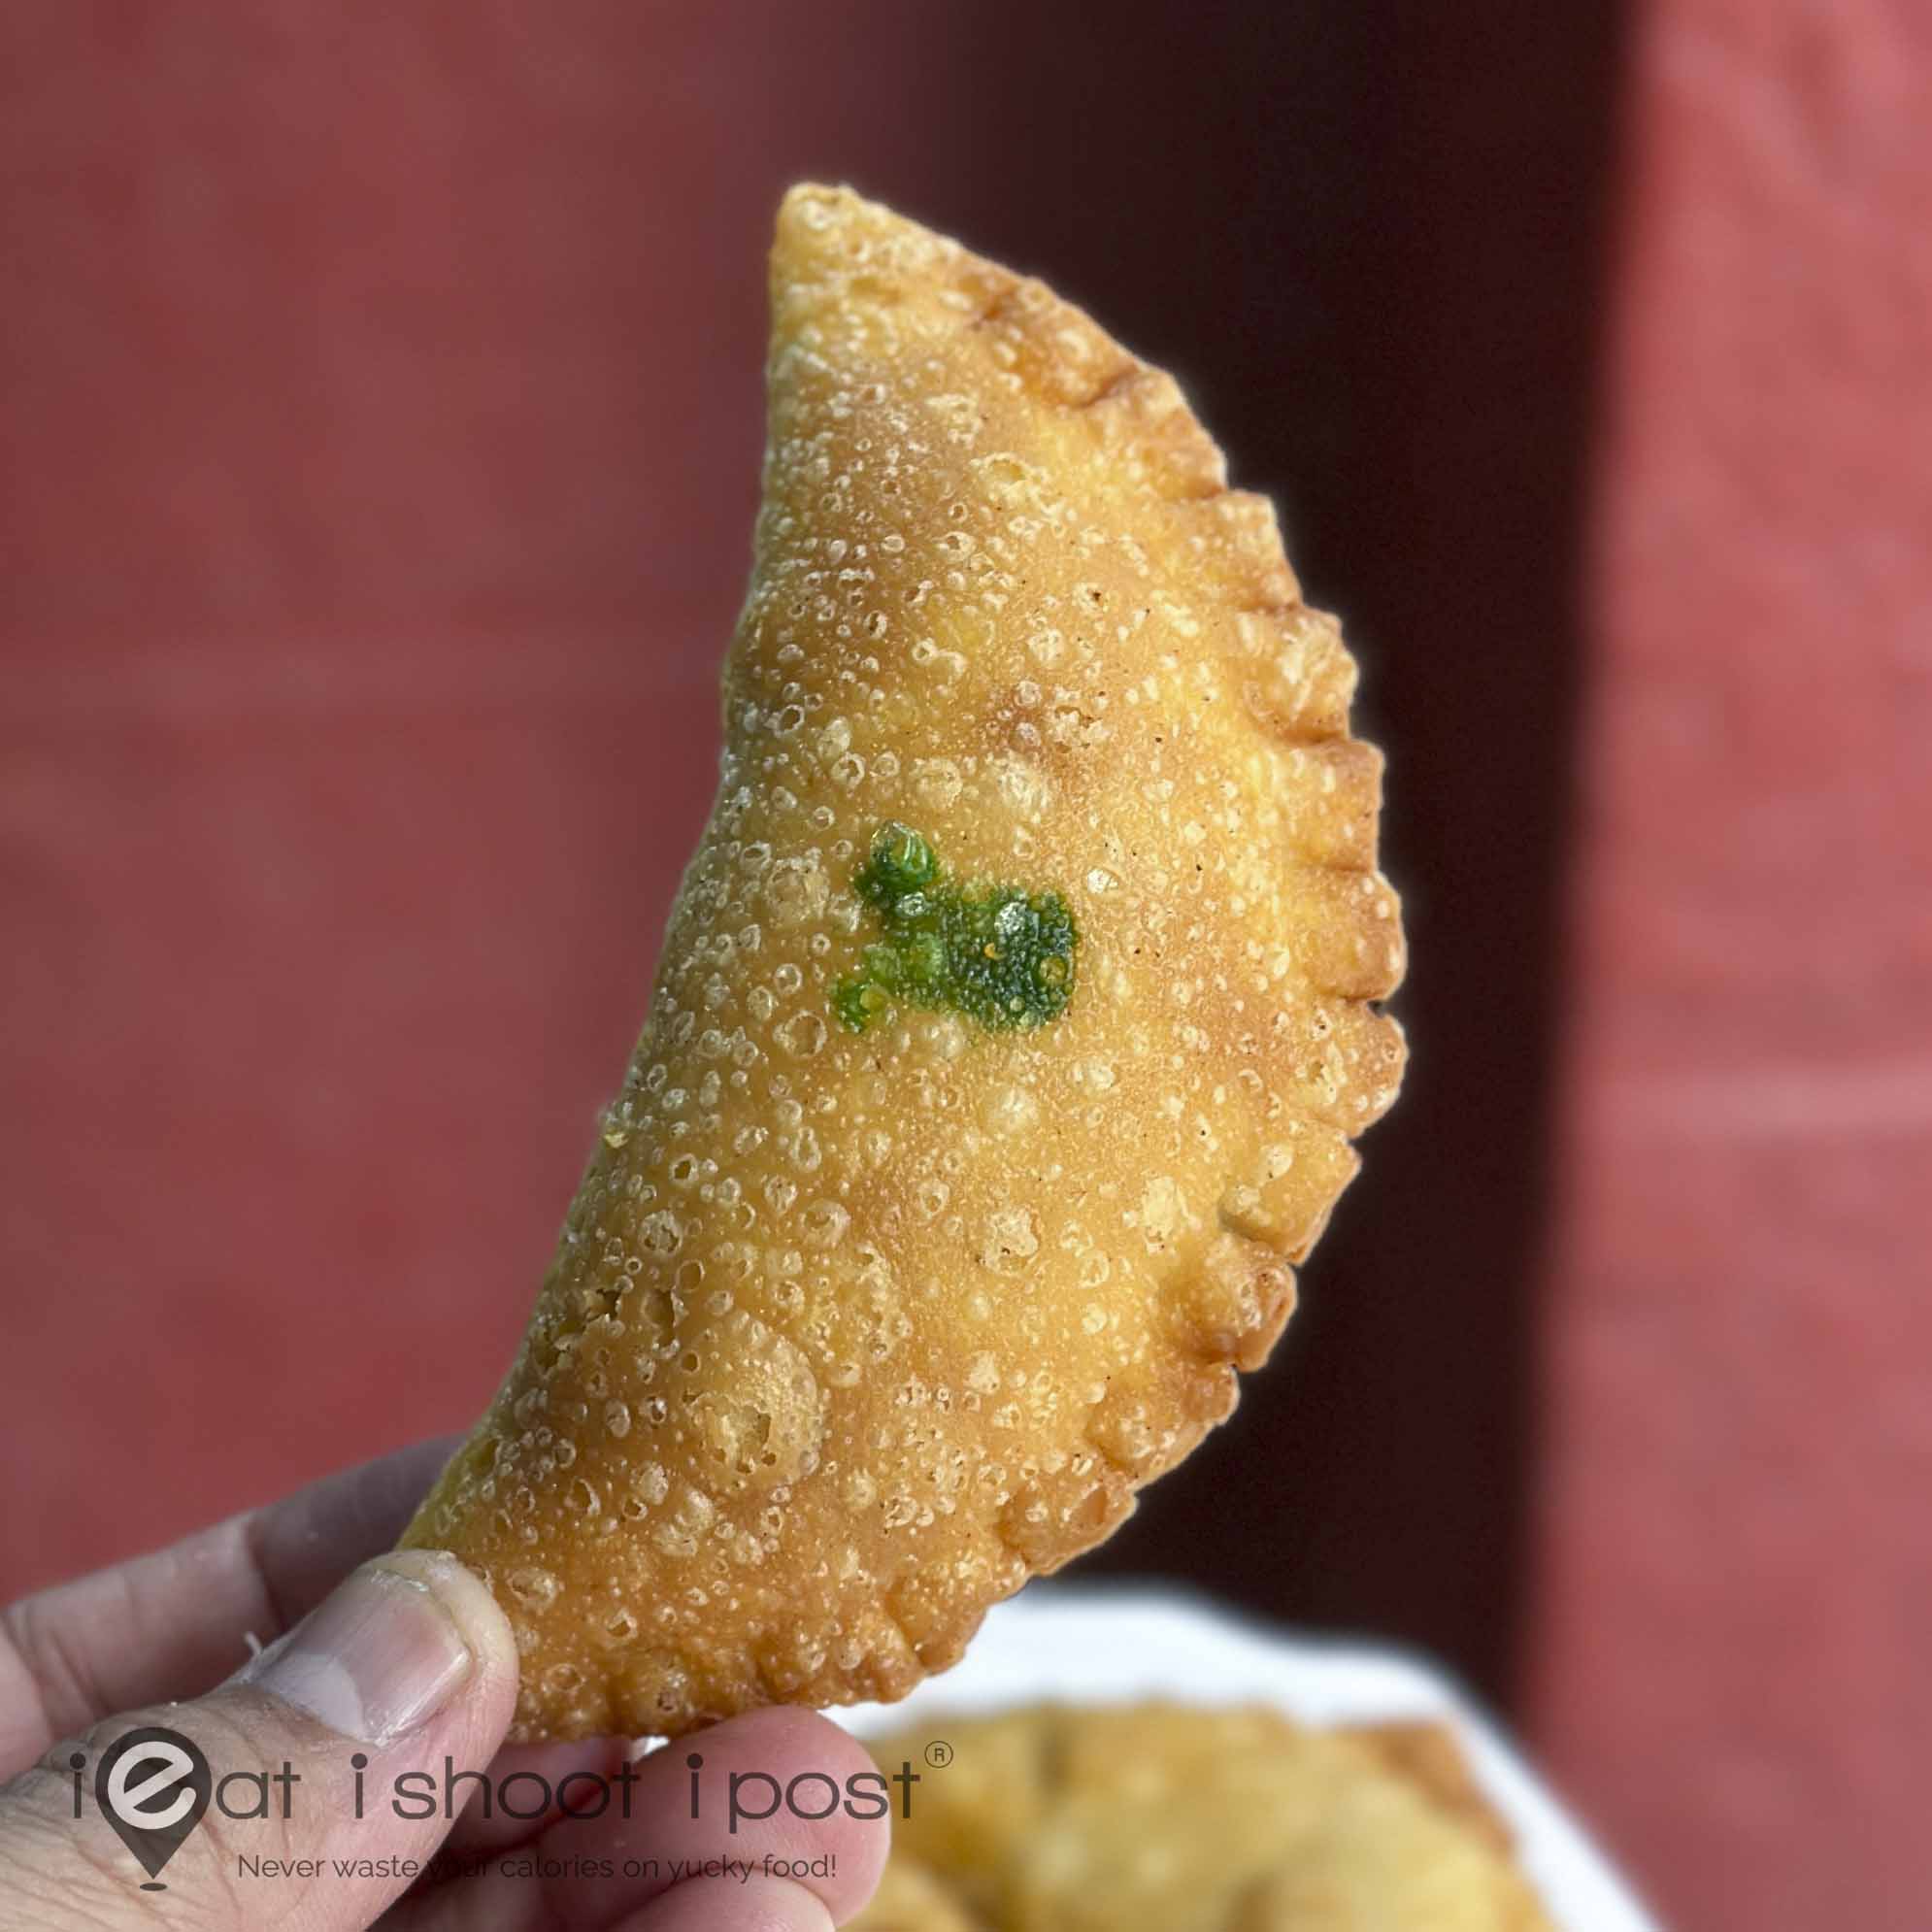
<point>403,1668</point>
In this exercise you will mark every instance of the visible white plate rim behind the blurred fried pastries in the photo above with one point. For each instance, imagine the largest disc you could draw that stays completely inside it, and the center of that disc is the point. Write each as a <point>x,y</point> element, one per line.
<point>1096,1645</point>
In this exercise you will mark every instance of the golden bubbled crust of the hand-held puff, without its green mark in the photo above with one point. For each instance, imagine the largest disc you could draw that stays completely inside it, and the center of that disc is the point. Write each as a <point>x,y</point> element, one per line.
<point>853,1332</point>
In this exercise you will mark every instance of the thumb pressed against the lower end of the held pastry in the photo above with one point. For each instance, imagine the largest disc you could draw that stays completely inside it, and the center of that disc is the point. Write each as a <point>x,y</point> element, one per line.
<point>407,1664</point>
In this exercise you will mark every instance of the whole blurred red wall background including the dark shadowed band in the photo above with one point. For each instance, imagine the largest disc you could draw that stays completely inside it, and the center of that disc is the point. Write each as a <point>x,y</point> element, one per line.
<point>382,432</point>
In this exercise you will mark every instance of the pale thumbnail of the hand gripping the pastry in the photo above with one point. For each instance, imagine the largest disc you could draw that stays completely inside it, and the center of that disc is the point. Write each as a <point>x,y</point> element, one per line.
<point>378,1659</point>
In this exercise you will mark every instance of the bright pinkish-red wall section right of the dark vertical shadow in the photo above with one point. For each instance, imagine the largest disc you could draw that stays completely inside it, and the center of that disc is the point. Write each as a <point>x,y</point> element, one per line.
<point>1734,1634</point>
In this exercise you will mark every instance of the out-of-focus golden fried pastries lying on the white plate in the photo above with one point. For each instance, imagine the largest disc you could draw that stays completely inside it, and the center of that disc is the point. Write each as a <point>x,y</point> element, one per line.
<point>1162,1817</point>
